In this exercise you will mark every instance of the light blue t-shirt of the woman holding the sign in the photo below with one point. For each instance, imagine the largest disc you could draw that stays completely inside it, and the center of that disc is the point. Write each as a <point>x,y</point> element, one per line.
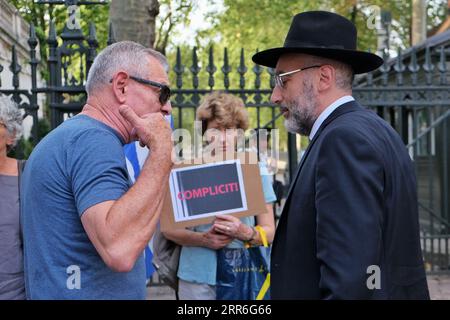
<point>199,264</point>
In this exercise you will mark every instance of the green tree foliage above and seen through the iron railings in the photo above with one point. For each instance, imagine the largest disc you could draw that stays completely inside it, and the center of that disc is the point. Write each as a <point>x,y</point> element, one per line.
<point>236,25</point>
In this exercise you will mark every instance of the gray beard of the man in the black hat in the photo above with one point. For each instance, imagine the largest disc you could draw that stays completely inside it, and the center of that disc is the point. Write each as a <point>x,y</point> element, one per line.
<point>302,113</point>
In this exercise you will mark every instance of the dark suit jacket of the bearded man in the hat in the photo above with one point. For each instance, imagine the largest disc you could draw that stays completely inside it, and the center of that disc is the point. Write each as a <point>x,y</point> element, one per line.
<point>351,206</point>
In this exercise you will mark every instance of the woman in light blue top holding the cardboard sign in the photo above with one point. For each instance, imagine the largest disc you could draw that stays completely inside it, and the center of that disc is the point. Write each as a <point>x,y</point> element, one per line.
<point>197,271</point>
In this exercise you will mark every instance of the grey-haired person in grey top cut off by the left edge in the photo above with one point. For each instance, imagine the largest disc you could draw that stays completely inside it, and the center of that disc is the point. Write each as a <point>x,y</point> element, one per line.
<point>12,285</point>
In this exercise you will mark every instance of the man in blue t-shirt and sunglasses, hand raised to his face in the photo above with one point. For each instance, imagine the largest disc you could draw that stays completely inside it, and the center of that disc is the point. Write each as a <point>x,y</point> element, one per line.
<point>85,227</point>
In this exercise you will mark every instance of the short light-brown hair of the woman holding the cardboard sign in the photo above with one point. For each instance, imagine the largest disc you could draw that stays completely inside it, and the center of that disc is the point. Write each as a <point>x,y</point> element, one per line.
<point>226,109</point>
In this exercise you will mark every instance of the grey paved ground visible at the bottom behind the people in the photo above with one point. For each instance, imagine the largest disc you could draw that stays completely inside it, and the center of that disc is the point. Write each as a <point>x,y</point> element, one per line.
<point>439,290</point>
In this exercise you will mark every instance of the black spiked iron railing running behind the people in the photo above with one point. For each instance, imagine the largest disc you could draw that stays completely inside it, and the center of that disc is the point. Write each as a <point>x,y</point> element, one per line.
<point>411,92</point>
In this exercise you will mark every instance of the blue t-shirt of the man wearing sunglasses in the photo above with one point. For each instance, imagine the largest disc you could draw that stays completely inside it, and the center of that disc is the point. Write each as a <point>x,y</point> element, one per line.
<point>76,166</point>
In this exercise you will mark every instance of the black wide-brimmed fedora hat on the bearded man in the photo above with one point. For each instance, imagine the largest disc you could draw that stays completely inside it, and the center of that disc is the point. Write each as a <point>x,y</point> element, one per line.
<point>324,34</point>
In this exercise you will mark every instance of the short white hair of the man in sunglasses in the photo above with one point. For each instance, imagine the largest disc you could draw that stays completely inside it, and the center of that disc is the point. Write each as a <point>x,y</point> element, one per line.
<point>129,56</point>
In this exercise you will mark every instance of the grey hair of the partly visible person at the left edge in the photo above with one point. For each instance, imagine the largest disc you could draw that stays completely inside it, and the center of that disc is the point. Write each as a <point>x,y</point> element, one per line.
<point>11,117</point>
